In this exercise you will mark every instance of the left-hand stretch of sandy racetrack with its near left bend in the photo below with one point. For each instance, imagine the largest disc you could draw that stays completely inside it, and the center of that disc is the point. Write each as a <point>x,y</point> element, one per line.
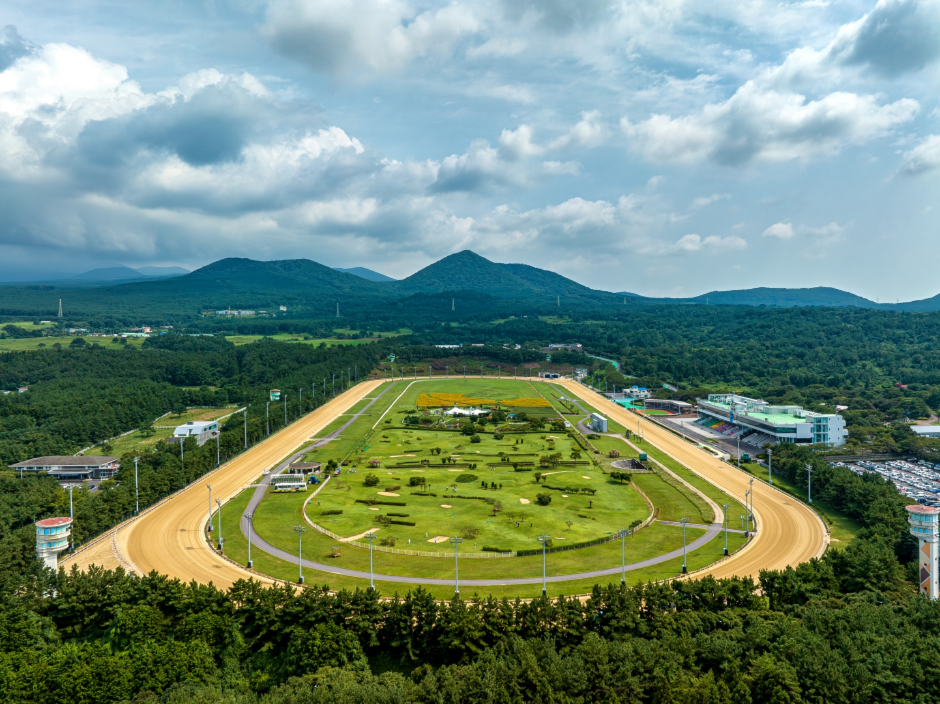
<point>168,537</point>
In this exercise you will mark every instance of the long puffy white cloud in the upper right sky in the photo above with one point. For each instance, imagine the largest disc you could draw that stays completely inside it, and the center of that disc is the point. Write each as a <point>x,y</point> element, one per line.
<point>756,124</point>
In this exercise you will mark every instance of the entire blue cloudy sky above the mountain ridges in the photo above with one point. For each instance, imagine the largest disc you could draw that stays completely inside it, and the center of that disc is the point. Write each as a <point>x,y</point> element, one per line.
<point>667,148</point>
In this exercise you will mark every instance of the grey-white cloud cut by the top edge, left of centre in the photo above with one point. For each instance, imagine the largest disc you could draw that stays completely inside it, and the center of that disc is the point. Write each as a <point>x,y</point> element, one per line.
<point>340,36</point>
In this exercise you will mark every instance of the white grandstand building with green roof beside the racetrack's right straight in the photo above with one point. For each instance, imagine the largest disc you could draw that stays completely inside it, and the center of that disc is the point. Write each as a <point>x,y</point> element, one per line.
<point>758,422</point>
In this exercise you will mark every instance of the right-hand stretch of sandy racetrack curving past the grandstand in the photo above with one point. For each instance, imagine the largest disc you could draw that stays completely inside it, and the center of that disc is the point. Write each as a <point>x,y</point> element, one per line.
<point>788,532</point>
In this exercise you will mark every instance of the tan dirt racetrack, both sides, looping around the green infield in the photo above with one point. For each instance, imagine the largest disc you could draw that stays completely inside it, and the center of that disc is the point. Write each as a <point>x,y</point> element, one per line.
<point>167,537</point>
